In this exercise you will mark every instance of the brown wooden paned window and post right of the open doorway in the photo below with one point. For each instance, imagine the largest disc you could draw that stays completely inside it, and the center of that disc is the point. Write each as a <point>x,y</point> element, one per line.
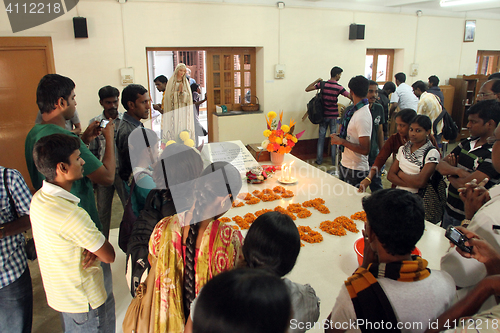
<point>230,79</point>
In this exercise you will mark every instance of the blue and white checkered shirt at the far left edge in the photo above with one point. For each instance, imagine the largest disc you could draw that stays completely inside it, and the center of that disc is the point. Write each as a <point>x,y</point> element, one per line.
<point>13,261</point>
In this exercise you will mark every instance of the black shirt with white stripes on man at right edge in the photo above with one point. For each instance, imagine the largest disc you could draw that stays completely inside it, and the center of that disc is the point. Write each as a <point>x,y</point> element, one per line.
<point>470,159</point>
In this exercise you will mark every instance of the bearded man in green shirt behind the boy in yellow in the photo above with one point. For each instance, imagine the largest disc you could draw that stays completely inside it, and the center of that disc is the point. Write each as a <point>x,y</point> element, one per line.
<point>55,97</point>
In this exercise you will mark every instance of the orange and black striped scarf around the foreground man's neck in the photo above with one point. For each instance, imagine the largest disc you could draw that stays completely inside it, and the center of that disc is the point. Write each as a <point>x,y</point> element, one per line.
<point>369,299</point>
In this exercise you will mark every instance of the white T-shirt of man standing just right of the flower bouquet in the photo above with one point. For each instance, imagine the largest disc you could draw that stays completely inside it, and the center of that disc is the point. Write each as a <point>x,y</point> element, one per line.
<point>359,126</point>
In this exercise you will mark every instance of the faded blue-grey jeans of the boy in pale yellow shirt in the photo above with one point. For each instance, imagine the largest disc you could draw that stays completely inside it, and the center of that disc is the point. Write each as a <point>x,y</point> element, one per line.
<point>86,322</point>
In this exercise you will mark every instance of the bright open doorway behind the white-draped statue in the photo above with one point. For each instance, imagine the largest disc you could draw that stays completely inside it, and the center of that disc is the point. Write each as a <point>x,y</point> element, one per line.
<point>163,62</point>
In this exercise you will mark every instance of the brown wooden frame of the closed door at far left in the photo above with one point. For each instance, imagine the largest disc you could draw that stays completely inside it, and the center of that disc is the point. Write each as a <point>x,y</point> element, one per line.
<point>31,43</point>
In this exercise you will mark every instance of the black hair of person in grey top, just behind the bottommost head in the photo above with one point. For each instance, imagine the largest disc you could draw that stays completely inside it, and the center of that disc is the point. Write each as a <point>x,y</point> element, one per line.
<point>272,243</point>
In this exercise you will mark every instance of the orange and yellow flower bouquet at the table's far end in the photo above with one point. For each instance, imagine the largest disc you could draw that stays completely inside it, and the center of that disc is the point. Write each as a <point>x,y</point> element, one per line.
<point>280,137</point>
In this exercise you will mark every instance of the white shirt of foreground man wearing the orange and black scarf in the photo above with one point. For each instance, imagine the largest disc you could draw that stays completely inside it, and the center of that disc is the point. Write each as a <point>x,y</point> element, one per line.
<point>414,303</point>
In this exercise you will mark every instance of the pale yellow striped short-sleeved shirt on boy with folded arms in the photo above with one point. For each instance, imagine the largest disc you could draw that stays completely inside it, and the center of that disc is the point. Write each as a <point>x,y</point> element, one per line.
<point>62,230</point>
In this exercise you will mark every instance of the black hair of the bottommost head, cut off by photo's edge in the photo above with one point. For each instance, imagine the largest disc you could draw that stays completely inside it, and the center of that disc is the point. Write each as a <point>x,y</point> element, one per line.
<point>244,301</point>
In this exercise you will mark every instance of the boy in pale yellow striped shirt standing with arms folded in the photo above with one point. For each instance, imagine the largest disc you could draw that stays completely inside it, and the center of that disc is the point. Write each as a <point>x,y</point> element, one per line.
<point>64,236</point>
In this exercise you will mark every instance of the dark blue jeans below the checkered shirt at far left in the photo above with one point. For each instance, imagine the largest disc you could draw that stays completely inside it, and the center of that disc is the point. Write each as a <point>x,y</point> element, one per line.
<point>16,305</point>
